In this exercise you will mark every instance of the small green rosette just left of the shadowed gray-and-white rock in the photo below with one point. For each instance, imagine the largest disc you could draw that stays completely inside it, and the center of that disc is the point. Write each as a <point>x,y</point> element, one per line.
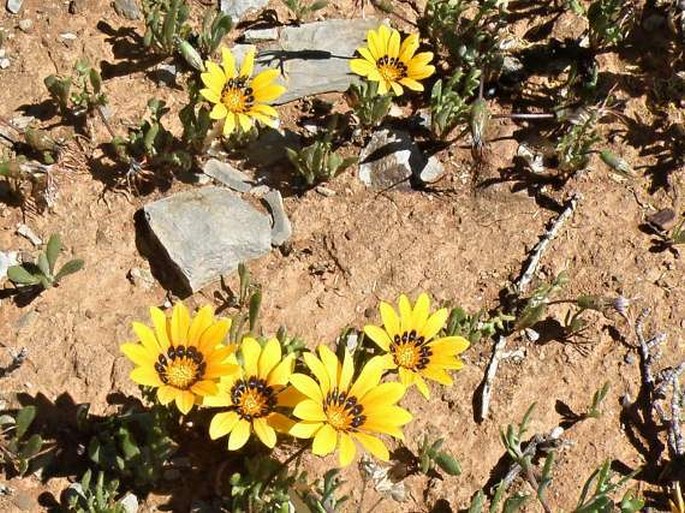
<point>318,162</point>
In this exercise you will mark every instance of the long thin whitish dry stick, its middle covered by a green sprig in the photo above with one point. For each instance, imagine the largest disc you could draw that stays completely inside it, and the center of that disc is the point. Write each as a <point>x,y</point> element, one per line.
<point>520,286</point>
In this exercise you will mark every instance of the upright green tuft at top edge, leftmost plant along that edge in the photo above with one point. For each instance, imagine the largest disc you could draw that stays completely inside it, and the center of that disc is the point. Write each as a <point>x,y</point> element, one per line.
<point>165,24</point>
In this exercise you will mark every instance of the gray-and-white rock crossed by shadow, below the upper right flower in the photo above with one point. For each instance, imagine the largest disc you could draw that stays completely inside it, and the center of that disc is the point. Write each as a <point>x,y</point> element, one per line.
<point>391,158</point>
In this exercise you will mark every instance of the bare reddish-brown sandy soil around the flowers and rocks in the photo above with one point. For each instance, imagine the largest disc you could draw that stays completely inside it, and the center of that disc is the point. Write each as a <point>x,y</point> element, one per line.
<point>353,249</point>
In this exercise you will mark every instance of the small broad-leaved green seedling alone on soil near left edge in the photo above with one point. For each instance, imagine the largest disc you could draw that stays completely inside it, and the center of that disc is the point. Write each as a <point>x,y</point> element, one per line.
<point>42,273</point>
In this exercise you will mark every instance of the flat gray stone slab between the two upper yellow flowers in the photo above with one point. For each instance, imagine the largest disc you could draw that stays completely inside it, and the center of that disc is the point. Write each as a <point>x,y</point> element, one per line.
<point>315,57</point>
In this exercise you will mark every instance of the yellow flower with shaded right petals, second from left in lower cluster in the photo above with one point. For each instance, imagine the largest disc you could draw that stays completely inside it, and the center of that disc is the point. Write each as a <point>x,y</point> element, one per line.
<point>253,396</point>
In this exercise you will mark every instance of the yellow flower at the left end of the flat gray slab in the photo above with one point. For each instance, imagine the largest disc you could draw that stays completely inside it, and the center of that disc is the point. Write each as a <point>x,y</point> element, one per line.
<point>237,97</point>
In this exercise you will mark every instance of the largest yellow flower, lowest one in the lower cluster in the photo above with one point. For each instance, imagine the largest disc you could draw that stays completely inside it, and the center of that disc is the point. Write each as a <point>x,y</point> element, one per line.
<point>338,411</point>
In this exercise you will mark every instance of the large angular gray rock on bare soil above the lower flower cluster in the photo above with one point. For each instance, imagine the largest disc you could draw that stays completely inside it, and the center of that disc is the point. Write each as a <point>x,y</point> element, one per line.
<point>207,232</point>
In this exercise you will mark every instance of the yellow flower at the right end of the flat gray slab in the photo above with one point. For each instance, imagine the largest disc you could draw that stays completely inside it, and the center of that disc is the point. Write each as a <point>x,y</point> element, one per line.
<point>392,64</point>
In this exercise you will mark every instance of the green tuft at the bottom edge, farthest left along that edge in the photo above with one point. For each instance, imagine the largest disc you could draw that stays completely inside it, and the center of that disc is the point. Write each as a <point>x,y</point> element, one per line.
<point>90,496</point>
